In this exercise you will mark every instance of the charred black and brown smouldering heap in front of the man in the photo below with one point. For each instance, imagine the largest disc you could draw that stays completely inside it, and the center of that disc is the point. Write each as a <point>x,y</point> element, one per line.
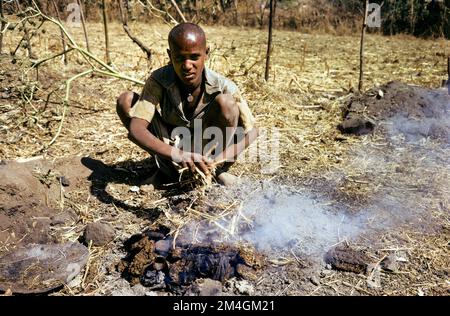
<point>160,263</point>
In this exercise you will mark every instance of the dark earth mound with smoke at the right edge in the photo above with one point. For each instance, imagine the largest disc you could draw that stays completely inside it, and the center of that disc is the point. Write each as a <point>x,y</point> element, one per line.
<point>408,109</point>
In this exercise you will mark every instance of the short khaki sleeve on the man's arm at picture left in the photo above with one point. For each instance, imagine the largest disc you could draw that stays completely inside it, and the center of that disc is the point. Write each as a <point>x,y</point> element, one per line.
<point>150,98</point>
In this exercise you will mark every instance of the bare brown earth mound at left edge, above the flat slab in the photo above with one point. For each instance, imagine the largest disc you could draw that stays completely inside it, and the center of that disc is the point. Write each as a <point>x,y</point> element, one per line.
<point>30,195</point>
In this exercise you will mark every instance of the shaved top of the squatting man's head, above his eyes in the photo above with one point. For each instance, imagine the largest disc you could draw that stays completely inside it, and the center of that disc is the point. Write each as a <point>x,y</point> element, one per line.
<point>187,34</point>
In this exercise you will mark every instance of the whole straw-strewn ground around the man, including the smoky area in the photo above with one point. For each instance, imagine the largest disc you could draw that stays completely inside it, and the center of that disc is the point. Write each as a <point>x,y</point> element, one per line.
<point>384,194</point>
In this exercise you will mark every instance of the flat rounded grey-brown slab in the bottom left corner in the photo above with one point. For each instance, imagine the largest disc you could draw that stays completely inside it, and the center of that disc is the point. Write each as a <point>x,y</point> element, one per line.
<point>40,268</point>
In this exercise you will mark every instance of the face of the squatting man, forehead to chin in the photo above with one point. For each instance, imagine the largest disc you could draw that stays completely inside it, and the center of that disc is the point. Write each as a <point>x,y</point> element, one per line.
<point>188,56</point>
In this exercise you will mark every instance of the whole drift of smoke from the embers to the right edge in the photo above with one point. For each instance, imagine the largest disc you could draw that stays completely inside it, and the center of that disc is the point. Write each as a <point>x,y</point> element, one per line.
<point>404,173</point>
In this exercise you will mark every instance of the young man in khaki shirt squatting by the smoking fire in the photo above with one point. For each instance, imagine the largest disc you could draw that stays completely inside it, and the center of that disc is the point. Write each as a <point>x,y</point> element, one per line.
<point>187,97</point>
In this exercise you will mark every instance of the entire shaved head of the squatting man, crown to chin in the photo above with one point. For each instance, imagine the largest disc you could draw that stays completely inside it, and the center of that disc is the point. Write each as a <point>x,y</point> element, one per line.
<point>188,53</point>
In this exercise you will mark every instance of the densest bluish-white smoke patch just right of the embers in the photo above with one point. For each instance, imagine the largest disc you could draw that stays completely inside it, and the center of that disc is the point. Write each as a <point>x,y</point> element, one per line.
<point>293,220</point>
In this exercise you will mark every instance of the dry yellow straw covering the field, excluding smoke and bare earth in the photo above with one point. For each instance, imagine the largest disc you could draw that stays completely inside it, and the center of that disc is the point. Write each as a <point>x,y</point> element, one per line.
<point>311,81</point>
